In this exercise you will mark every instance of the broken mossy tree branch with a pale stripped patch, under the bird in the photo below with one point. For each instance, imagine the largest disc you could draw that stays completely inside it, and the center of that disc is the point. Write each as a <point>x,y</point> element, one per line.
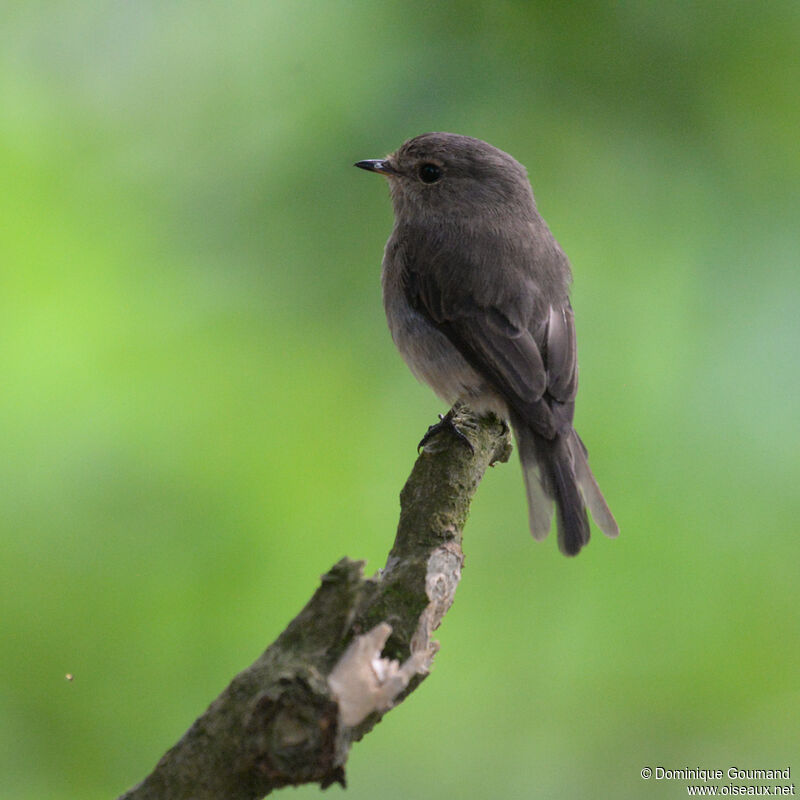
<point>358,648</point>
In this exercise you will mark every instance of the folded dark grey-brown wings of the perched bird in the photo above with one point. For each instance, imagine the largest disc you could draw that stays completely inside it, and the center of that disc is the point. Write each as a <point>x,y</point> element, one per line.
<point>500,345</point>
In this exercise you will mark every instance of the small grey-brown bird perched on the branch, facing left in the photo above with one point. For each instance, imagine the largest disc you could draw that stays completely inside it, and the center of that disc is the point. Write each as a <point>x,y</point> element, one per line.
<point>476,292</point>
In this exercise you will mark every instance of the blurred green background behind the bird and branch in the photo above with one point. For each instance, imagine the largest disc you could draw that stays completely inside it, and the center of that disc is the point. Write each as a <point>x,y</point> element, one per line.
<point>201,409</point>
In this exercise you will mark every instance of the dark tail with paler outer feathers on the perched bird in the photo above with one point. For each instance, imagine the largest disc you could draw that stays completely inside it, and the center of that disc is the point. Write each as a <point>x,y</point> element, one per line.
<point>557,472</point>
